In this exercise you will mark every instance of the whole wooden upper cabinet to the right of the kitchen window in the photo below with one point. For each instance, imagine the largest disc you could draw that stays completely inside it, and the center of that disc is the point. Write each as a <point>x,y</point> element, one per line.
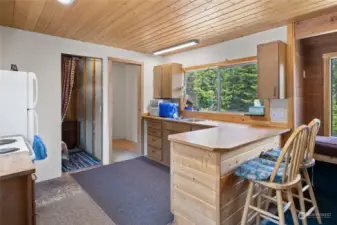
<point>271,59</point>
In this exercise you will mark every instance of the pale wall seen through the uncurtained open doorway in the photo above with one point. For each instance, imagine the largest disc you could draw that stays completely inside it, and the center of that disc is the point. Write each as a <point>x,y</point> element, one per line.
<point>125,101</point>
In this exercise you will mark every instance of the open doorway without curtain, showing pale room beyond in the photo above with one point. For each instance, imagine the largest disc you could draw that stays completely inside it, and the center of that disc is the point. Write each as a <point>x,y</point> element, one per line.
<point>125,108</point>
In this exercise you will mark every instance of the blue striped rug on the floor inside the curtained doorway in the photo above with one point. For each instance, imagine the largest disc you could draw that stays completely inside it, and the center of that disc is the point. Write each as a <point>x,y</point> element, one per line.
<point>79,160</point>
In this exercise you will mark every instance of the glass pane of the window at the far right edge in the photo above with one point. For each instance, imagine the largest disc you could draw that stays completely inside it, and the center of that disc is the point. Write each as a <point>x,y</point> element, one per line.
<point>334,97</point>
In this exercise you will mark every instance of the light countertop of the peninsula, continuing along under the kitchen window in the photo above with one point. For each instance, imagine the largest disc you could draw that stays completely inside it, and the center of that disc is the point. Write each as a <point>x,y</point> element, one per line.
<point>223,136</point>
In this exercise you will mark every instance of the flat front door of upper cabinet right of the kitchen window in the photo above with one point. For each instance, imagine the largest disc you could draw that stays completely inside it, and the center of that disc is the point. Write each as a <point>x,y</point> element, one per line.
<point>268,70</point>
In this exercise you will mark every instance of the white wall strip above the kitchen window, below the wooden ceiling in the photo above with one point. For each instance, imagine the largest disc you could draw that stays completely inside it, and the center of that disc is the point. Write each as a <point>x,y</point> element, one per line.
<point>233,49</point>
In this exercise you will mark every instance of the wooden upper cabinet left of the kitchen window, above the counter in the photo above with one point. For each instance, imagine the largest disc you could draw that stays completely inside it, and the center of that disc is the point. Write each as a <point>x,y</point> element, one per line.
<point>168,81</point>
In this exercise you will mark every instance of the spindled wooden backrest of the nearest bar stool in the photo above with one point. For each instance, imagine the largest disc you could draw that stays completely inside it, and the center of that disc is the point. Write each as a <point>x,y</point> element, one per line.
<point>292,155</point>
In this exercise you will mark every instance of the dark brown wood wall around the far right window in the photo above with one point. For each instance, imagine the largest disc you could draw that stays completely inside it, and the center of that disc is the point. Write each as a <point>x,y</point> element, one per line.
<point>313,50</point>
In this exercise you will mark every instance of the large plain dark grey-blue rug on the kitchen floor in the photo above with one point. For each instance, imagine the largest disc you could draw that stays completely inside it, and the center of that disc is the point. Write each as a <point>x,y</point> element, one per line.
<point>132,192</point>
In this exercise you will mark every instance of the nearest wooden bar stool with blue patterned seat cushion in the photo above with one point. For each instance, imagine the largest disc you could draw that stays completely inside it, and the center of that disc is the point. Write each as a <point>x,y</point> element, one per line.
<point>282,175</point>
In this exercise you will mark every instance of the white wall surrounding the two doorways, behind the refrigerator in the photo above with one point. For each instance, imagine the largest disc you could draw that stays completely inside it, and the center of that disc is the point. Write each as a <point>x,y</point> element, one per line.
<point>41,54</point>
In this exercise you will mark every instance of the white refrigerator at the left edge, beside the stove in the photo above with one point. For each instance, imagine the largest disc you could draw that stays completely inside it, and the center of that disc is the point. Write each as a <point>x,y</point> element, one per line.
<point>18,100</point>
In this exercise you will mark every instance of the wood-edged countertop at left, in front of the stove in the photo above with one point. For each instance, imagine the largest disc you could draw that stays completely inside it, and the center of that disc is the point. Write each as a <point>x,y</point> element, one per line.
<point>15,164</point>
